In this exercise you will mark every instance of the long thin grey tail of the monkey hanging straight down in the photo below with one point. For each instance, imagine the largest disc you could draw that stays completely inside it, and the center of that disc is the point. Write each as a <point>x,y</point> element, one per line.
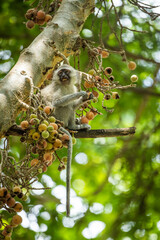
<point>68,174</point>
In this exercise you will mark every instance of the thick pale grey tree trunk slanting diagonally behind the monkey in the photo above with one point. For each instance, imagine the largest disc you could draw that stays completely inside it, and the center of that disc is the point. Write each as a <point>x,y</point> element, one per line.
<point>35,61</point>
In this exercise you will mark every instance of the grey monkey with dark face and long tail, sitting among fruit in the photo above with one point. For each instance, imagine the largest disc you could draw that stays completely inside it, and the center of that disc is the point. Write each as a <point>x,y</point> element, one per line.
<point>63,96</point>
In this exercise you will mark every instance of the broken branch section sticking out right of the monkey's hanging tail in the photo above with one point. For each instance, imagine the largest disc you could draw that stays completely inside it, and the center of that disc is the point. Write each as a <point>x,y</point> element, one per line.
<point>98,133</point>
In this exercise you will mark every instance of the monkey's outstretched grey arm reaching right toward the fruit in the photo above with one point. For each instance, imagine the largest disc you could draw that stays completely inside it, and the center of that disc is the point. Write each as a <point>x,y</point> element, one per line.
<point>67,99</point>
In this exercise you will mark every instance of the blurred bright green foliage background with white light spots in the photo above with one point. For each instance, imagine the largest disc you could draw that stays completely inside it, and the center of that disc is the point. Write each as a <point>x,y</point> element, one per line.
<point>115,191</point>
